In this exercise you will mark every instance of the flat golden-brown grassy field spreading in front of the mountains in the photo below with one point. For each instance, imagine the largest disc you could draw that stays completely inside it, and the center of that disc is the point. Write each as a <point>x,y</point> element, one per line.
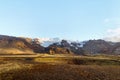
<point>59,67</point>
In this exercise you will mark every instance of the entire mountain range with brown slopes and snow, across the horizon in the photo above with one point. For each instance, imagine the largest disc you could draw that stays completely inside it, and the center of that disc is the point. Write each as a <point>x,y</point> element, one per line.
<point>22,45</point>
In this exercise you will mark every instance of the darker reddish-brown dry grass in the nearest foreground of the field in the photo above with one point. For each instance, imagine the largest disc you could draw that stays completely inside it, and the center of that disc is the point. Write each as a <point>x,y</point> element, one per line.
<point>63,72</point>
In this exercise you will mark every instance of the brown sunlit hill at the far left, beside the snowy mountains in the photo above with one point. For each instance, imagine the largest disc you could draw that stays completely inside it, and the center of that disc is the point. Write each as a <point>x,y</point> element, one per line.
<point>17,45</point>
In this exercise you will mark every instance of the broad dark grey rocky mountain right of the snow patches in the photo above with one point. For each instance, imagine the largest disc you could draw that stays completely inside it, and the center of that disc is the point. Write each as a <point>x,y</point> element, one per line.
<point>97,47</point>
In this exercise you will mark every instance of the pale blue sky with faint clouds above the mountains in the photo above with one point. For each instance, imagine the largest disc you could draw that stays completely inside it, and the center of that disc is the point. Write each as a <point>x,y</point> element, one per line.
<point>68,19</point>
